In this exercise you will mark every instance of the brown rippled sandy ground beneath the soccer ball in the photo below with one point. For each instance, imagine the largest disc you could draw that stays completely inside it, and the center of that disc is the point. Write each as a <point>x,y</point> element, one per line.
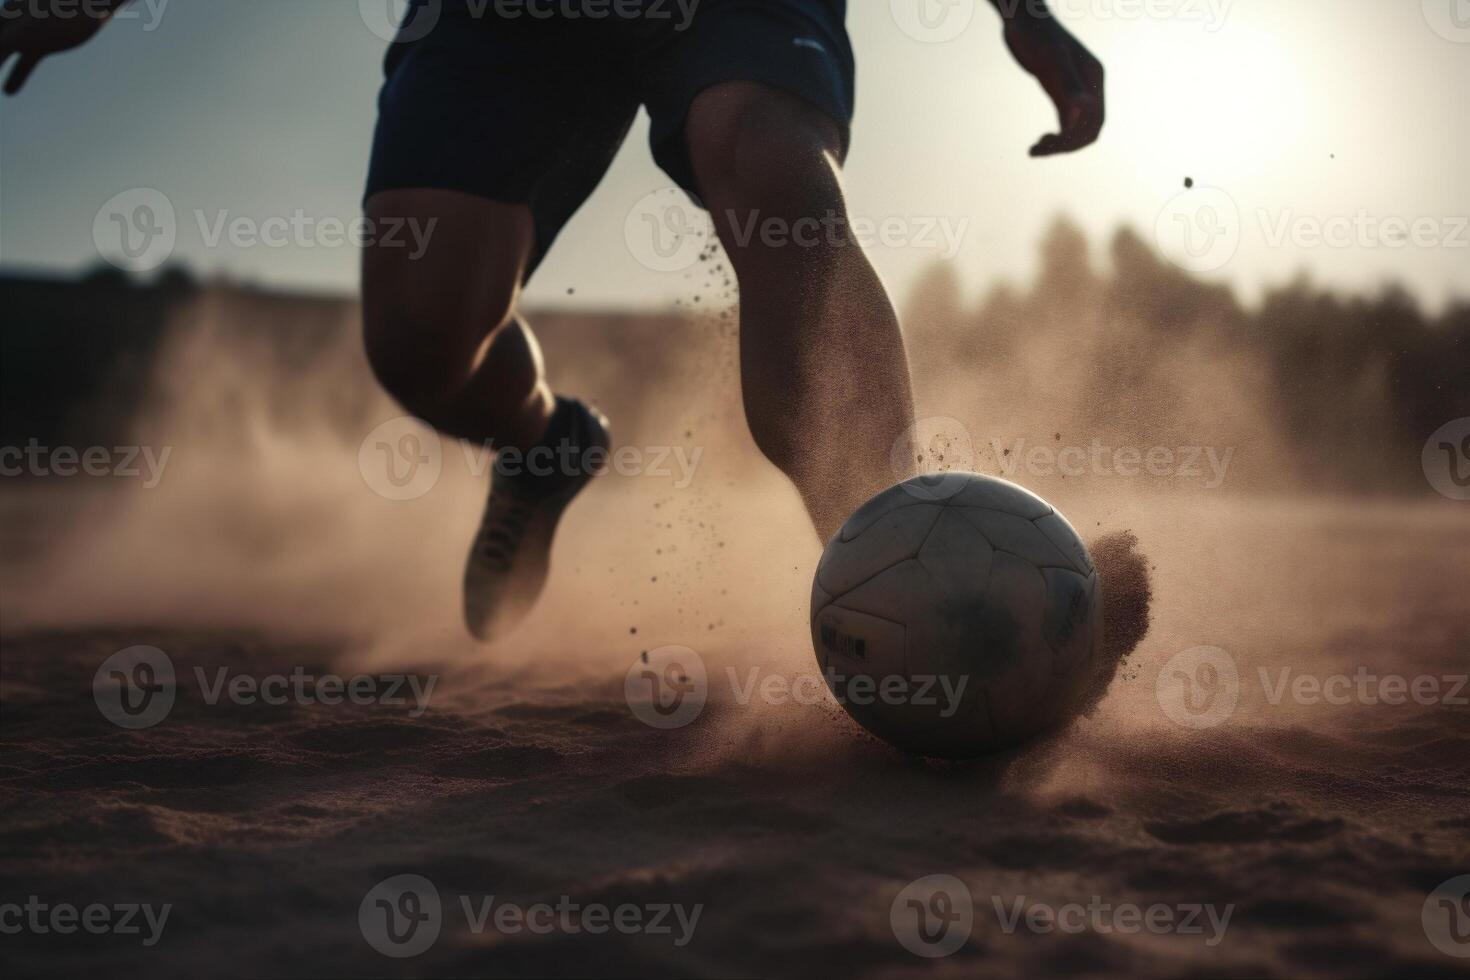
<point>1322,828</point>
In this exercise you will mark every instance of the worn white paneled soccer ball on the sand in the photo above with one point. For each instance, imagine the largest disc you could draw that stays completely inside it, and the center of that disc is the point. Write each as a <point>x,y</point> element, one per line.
<point>958,615</point>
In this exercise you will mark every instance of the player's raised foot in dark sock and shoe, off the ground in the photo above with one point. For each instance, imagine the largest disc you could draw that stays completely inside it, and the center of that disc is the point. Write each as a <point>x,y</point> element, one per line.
<point>511,556</point>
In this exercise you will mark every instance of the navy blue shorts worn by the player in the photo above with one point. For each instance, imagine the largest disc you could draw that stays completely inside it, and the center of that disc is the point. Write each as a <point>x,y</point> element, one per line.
<point>527,102</point>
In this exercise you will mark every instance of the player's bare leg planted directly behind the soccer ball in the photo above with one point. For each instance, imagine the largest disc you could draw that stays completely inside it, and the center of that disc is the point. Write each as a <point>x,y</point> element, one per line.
<point>822,361</point>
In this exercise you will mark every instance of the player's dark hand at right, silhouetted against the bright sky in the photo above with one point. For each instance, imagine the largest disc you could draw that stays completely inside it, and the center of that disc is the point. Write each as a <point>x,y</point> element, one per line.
<point>1069,74</point>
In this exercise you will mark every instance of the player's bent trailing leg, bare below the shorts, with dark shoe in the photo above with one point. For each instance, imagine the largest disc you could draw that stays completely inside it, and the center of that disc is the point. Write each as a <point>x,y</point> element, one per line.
<point>443,337</point>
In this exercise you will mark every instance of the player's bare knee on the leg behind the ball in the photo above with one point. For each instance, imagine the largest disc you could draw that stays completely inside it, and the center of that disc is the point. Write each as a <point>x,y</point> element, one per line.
<point>758,149</point>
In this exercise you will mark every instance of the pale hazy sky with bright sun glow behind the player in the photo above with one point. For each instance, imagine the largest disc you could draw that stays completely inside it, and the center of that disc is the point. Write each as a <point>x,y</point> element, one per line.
<point>1322,137</point>
